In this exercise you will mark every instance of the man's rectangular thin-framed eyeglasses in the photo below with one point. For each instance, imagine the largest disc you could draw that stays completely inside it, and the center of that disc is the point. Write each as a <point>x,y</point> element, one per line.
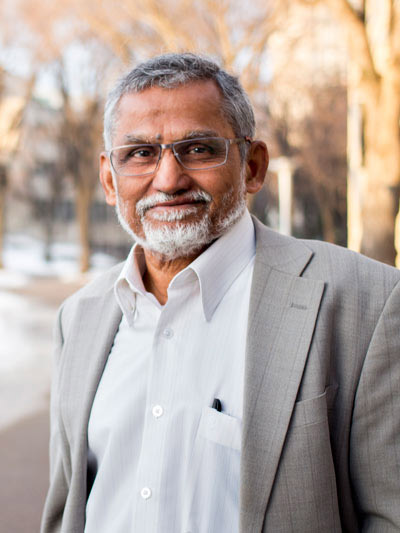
<point>193,154</point>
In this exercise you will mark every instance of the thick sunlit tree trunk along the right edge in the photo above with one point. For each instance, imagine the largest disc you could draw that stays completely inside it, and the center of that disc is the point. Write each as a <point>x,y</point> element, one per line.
<point>374,77</point>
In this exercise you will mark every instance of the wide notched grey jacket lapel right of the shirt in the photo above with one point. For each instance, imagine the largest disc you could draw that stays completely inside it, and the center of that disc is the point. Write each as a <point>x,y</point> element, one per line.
<point>283,312</point>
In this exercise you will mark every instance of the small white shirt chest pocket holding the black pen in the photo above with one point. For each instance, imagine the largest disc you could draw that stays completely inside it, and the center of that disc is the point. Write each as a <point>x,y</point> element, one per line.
<point>220,428</point>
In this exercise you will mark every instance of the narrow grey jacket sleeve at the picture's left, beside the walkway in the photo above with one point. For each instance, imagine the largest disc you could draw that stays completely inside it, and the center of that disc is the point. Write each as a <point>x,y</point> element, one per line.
<point>59,456</point>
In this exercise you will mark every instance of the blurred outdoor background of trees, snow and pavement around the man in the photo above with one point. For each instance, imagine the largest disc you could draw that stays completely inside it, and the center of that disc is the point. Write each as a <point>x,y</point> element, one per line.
<point>324,78</point>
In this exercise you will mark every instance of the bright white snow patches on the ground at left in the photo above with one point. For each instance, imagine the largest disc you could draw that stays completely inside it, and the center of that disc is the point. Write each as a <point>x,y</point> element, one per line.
<point>26,323</point>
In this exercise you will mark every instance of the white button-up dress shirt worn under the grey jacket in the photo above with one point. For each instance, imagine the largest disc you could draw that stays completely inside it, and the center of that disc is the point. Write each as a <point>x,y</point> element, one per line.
<point>167,462</point>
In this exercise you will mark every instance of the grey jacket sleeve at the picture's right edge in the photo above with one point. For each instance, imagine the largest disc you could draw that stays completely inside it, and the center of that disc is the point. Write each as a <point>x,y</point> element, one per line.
<point>375,433</point>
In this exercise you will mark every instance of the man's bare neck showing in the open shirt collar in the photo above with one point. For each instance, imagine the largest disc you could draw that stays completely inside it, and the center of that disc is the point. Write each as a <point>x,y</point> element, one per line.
<point>160,271</point>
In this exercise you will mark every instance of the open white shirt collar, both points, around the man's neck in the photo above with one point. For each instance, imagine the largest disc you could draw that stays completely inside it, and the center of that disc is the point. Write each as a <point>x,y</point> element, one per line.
<point>216,269</point>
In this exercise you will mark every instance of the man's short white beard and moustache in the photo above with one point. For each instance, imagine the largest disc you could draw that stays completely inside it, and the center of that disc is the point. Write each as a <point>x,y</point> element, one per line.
<point>183,238</point>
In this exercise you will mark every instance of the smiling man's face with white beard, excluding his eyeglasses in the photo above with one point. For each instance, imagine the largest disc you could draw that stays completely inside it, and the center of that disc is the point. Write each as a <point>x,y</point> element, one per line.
<point>176,212</point>
